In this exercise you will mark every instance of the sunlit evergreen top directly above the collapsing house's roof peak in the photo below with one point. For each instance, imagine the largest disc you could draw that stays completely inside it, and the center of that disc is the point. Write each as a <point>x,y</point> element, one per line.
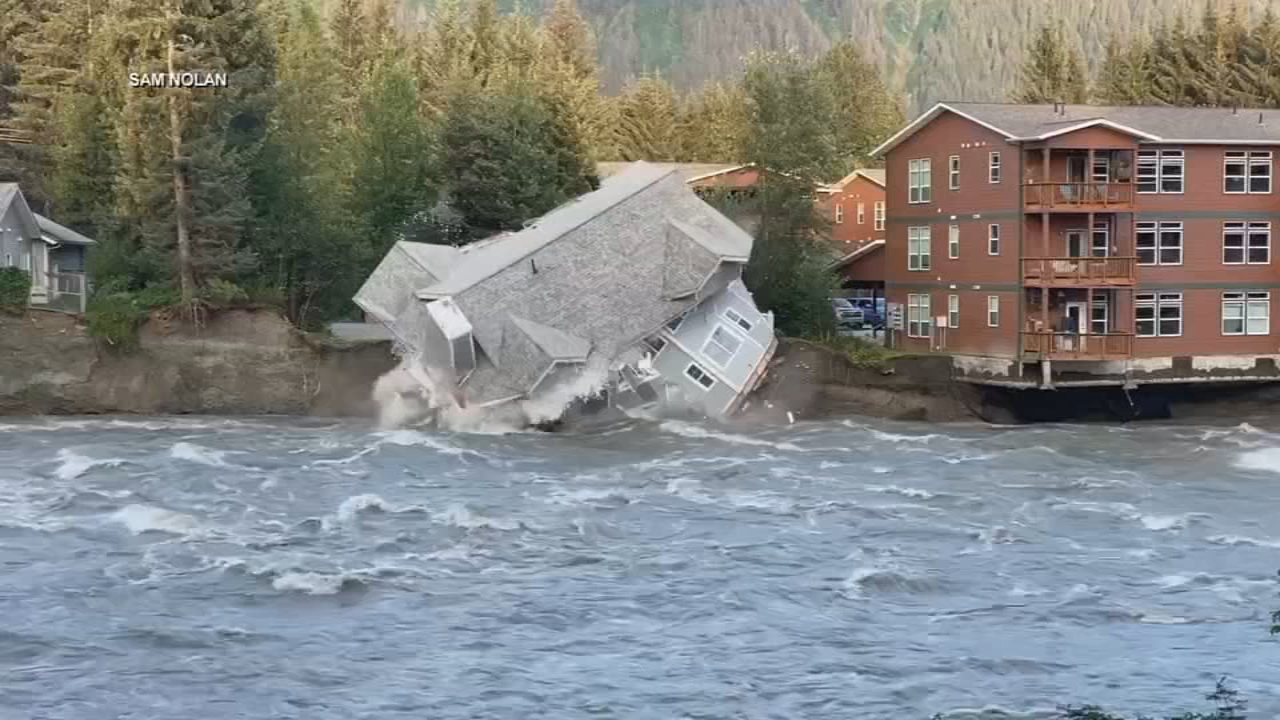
<point>647,121</point>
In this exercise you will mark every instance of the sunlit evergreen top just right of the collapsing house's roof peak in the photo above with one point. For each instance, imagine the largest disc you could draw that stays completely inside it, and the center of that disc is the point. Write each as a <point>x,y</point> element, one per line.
<point>712,125</point>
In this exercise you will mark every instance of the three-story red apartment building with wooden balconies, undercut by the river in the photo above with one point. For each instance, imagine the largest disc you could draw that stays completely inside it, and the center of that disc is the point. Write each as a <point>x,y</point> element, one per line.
<point>1059,245</point>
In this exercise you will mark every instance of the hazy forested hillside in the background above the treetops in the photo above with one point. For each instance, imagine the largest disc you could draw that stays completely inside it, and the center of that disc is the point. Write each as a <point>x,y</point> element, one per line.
<point>930,49</point>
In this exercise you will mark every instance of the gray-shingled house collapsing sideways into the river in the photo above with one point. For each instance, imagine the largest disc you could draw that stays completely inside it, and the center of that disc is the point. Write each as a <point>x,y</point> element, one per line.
<point>633,290</point>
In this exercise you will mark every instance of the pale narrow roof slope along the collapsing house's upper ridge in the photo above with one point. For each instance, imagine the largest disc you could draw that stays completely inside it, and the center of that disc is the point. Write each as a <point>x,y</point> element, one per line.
<point>481,261</point>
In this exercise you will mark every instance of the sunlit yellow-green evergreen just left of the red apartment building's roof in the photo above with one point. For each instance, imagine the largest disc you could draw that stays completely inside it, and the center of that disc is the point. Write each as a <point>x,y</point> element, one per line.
<point>866,113</point>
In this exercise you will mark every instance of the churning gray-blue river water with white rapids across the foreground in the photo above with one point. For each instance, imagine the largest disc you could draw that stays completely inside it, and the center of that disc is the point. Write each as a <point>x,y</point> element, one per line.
<point>180,569</point>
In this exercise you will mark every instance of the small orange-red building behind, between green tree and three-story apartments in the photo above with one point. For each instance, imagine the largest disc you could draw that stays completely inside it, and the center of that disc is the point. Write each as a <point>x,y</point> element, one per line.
<point>856,209</point>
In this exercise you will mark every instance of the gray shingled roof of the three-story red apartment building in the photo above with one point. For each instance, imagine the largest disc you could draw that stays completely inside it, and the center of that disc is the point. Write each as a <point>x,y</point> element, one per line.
<point>1160,124</point>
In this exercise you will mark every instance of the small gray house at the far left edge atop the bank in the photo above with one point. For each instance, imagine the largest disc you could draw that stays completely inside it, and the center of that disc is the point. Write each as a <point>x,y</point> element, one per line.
<point>54,256</point>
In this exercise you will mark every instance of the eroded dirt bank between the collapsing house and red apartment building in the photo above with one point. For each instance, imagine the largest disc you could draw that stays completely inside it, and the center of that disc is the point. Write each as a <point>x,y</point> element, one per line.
<point>813,382</point>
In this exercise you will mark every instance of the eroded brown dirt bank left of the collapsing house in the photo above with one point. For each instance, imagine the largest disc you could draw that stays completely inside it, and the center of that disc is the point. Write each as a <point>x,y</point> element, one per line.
<point>240,363</point>
